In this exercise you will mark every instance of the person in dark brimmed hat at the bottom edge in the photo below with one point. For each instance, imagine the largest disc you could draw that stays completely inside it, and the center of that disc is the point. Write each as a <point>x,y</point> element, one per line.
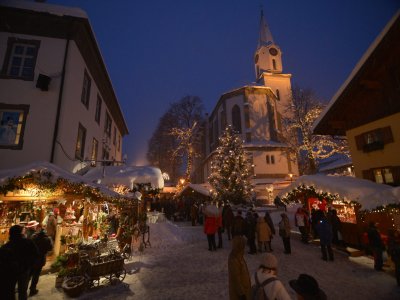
<point>307,288</point>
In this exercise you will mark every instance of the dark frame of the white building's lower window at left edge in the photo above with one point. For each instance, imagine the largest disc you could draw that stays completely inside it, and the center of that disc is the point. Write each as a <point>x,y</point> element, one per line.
<point>20,127</point>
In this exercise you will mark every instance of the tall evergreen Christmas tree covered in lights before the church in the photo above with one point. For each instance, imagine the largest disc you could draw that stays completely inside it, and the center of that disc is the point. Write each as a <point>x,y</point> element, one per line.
<point>230,169</point>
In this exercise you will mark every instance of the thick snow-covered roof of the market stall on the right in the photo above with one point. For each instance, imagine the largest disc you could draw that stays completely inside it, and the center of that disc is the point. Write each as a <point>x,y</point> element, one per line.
<point>369,194</point>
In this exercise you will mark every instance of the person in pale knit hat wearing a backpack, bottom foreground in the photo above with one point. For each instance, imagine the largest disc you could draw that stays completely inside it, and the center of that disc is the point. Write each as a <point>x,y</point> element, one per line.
<point>267,285</point>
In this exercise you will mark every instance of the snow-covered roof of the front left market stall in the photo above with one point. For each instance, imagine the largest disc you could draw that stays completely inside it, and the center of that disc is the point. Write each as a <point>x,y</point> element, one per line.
<point>56,173</point>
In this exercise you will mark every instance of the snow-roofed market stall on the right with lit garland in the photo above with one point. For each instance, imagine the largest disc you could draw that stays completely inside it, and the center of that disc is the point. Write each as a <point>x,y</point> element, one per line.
<point>357,201</point>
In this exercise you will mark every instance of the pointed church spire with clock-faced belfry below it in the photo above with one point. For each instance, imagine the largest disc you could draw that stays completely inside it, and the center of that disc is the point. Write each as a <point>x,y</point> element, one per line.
<point>268,56</point>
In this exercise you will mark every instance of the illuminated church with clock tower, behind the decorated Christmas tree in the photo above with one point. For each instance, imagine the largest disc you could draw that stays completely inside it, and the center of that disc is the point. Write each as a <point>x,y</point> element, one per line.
<point>255,111</point>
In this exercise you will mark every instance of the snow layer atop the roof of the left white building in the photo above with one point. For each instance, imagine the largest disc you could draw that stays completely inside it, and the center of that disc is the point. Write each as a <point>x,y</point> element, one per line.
<point>46,8</point>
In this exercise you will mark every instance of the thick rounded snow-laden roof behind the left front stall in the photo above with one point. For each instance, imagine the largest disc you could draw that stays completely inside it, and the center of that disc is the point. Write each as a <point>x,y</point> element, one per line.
<point>126,175</point>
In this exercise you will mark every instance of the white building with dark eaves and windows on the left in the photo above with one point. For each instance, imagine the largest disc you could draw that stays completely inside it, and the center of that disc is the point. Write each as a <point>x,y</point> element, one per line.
<point>57,103</point>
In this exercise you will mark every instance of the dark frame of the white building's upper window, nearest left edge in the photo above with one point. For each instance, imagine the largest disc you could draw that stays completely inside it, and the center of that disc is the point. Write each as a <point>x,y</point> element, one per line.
<point>11,42</point>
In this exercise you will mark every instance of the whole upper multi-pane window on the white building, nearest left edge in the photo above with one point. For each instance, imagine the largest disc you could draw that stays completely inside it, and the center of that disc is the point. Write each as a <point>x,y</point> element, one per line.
<point>20,59</point>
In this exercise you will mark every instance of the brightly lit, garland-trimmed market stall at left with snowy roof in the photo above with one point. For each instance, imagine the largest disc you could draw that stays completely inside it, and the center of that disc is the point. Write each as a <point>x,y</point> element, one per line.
<point>70,208</point>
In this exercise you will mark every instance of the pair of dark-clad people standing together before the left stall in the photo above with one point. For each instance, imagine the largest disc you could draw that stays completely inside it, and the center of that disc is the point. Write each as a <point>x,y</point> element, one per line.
<point>22,260</point>
